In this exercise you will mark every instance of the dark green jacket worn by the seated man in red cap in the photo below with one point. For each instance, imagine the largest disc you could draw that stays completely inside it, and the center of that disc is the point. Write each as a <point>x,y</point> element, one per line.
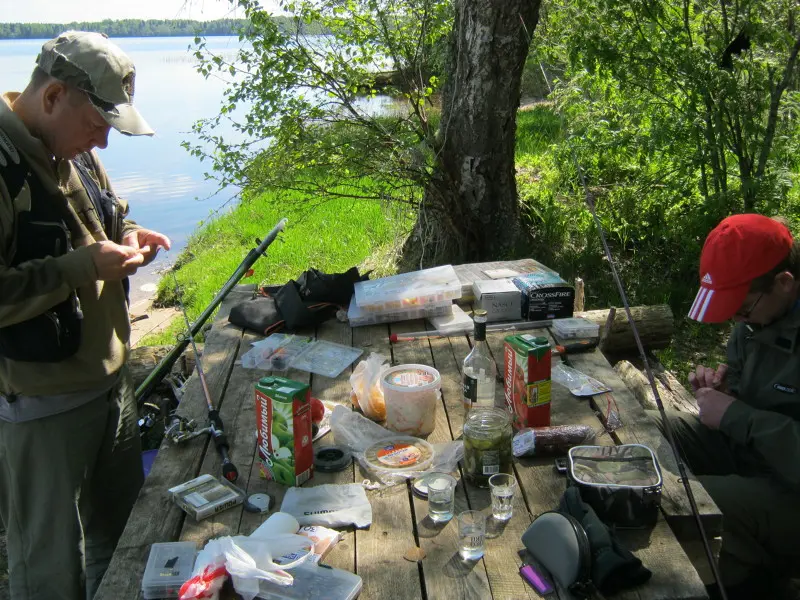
<point>764,374</point>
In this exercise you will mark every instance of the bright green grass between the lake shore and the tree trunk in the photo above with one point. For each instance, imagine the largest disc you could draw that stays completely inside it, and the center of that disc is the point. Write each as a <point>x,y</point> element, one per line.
<point>332,237</point>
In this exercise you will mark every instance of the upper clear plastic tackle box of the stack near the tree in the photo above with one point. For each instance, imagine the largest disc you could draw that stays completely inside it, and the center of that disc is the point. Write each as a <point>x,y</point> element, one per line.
<point>408,290</point>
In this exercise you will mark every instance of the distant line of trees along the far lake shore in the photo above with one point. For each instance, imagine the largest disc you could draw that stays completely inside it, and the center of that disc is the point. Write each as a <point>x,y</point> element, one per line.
<point>146,28</point>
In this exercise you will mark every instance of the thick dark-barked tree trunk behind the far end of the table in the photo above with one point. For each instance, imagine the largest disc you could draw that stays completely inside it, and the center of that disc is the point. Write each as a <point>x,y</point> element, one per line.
<point>470,209</point>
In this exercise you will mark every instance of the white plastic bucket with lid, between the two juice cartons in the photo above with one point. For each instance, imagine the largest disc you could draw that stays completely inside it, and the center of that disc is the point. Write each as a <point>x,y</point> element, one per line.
<point>411,393</point>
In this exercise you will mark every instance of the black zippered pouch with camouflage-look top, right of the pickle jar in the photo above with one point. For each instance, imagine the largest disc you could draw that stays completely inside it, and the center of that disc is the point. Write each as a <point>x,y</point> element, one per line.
<point>621,483</point>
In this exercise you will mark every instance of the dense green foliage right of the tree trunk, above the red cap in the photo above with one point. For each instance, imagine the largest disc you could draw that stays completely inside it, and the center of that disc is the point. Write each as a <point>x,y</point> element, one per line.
<point>672,132</point>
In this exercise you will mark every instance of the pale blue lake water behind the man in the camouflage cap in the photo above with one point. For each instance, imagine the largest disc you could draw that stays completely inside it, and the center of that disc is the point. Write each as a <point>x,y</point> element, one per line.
<point>162,182</point>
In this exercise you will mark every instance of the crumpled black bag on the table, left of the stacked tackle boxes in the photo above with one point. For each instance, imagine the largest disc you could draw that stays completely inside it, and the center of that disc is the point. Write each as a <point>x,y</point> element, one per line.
<point>312,299</point>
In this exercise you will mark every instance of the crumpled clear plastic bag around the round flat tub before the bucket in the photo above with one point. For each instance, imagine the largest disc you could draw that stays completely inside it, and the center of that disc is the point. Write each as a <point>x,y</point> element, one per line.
<point>355,432</point>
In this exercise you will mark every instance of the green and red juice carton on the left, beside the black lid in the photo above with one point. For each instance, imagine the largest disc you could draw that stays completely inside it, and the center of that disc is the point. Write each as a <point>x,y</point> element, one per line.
<point>283,418</point>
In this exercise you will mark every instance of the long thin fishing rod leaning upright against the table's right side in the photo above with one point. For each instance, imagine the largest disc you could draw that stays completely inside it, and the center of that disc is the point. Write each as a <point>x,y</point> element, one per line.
<point>684,478</point>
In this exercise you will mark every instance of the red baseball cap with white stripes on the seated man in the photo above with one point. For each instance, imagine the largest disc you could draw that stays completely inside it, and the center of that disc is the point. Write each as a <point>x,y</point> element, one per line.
<point>738,250</point>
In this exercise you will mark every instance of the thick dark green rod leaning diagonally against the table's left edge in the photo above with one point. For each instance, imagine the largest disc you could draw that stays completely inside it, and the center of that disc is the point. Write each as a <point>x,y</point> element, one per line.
<point>165,366</point>
